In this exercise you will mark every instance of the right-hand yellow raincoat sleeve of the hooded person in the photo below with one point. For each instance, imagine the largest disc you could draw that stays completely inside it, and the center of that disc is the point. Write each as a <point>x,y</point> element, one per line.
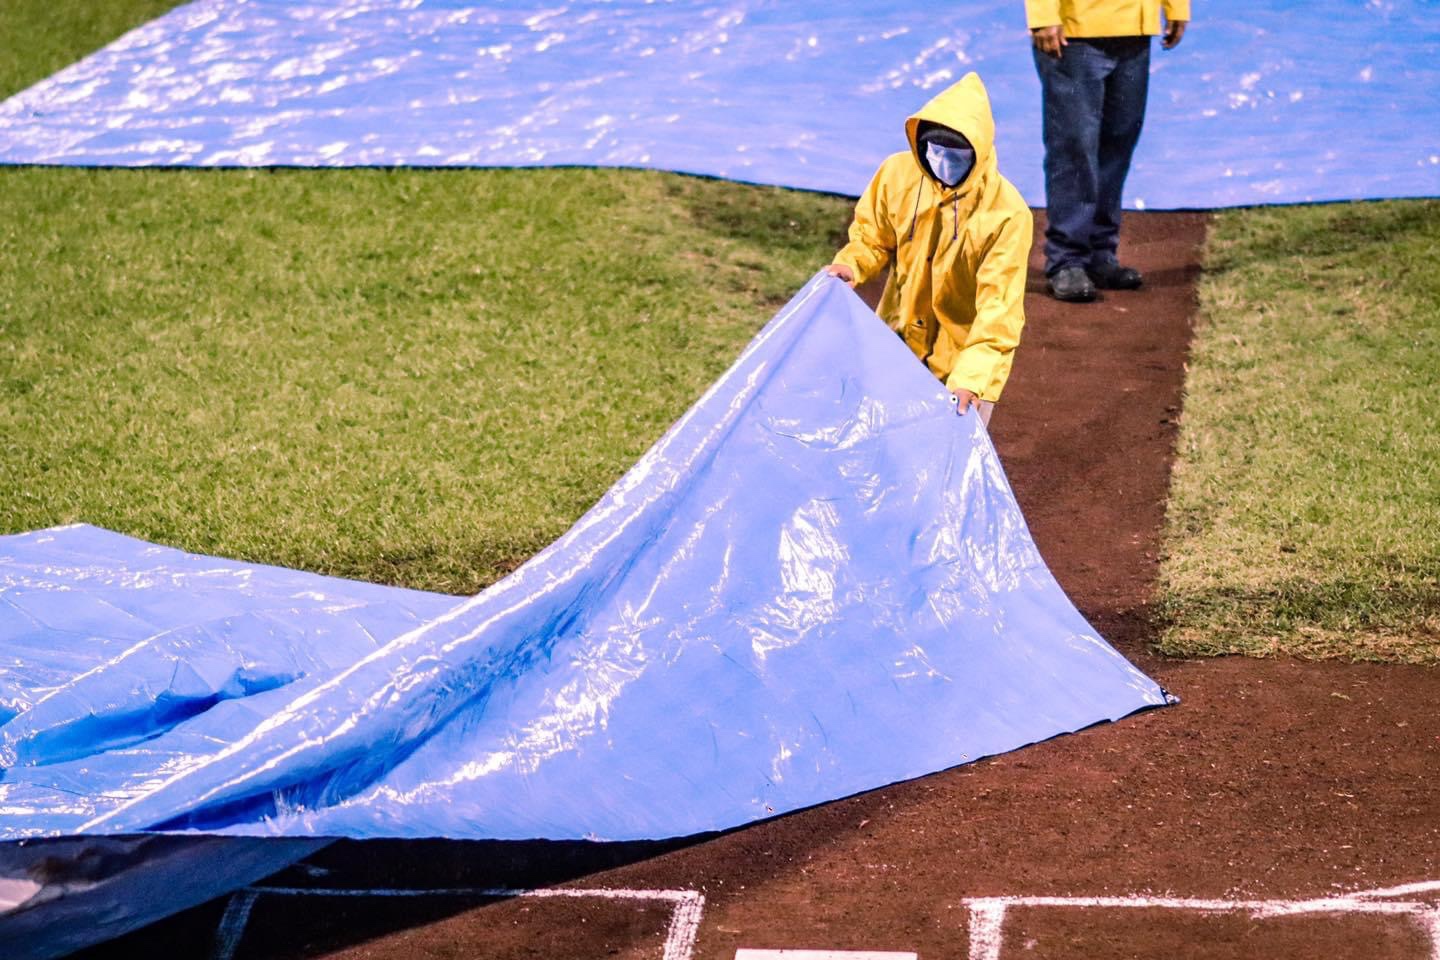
<point>1000,312</point>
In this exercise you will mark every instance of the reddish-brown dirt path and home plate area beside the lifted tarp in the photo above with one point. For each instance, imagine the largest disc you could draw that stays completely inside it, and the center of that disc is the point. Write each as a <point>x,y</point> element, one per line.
<point>1272,781</point>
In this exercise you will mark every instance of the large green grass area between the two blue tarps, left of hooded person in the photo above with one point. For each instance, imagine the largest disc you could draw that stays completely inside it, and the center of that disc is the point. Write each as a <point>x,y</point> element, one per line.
<point>414,378</point>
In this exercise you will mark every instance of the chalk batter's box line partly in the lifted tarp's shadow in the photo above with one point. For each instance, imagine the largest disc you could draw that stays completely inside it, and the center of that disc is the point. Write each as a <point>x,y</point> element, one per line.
<point>680,938</point>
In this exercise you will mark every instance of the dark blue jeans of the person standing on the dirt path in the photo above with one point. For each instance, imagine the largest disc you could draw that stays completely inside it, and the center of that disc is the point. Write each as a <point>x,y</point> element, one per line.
<point>1094,112</point>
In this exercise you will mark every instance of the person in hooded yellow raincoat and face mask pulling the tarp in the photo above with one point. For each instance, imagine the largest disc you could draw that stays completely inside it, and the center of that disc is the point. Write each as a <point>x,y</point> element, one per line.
<point>957,237</point>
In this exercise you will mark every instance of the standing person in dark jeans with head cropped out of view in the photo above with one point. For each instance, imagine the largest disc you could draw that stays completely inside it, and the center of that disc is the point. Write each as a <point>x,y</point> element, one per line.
<point>1094,58</point>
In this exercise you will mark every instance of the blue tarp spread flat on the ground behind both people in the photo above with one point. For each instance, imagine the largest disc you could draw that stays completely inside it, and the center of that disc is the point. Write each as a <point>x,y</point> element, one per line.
<point>1266,101</point>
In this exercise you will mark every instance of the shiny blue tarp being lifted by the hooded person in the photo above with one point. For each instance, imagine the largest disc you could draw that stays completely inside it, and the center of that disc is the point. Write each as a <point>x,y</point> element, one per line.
<point>817,584</point>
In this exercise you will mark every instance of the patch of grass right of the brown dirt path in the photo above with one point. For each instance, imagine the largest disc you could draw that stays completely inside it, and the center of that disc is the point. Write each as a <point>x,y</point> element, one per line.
<point>1305,513</point>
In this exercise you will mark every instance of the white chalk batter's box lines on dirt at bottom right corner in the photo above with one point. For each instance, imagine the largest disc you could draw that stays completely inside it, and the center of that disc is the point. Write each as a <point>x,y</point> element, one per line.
<point>987,915</point>
